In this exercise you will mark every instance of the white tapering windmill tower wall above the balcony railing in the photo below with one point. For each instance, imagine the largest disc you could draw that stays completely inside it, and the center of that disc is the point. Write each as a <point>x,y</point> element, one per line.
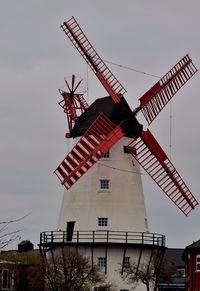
<point>123,203</point>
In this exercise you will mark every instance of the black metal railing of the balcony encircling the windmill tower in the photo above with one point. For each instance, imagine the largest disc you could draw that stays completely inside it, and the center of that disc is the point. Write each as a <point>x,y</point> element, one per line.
<point>101,236</point>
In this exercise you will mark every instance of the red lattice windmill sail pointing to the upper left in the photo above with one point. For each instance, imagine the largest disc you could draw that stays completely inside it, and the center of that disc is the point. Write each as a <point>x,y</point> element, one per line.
<point>87,51</point>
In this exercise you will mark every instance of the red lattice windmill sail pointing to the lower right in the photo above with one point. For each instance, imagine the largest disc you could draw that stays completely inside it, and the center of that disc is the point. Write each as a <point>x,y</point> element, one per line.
<point>155,162</point>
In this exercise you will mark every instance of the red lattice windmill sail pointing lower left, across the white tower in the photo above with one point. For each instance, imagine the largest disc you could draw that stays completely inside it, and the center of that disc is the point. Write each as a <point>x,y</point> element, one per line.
<point>97,140</point>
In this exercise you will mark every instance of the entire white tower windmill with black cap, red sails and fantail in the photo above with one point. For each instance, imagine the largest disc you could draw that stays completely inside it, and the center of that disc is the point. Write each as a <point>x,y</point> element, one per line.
<point>103,210</point>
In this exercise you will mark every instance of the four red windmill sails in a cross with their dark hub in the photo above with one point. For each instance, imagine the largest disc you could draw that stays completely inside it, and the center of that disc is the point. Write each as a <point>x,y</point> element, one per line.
<point>103,134</point>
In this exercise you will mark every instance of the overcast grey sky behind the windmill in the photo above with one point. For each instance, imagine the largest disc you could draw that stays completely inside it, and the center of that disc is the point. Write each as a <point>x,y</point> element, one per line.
<point>149,36</point>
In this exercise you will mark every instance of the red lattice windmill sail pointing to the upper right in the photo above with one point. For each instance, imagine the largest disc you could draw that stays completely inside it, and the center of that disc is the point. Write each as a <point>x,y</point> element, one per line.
<point>154,100</point>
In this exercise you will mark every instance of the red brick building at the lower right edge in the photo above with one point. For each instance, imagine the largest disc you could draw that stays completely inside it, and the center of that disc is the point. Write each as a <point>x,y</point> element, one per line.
<point>191,257</point>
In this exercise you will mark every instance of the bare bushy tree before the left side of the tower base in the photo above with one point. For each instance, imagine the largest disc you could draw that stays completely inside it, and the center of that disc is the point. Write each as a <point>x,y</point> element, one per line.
<point>69,270</point>
